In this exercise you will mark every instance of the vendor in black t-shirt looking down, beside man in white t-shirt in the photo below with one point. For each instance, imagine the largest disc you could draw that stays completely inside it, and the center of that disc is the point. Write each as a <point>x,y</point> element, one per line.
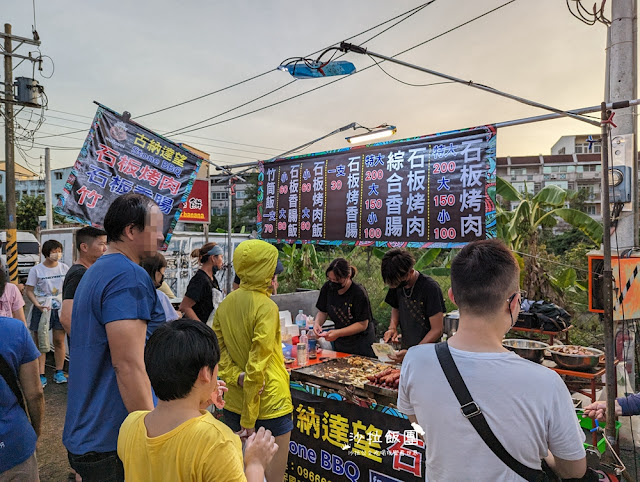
<point>417,304</point>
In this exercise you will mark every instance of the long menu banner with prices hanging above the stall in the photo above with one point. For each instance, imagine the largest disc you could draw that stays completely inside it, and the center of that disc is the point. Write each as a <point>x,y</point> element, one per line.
<point>431,191</point>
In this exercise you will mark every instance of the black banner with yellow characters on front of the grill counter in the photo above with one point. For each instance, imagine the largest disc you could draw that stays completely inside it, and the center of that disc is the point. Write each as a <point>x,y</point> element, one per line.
<point>334,440</point>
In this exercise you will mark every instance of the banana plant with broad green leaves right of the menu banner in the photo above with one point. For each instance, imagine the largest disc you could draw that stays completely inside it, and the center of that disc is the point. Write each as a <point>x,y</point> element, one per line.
<point>521,229</point>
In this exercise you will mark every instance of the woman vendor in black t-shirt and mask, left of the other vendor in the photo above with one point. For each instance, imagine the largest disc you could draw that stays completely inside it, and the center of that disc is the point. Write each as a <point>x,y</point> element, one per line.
<point>347,304</point>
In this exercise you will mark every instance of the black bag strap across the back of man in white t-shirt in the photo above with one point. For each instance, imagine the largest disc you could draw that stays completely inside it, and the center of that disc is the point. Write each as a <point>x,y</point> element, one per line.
<point>472,412</point>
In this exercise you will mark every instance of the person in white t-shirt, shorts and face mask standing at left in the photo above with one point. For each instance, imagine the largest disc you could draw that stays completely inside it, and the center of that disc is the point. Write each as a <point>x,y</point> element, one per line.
<point>44,289</point>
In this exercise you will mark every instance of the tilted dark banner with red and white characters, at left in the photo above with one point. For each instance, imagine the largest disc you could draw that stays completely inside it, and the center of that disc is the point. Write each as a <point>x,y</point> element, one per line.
<point>120,157</point>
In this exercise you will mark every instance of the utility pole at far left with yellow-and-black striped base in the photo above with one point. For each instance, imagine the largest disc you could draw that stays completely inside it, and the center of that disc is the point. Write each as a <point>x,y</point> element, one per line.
<point>10,168</point>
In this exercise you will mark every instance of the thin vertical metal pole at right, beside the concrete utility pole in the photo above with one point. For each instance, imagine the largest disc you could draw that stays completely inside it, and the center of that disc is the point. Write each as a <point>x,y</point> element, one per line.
<point>609,354</point>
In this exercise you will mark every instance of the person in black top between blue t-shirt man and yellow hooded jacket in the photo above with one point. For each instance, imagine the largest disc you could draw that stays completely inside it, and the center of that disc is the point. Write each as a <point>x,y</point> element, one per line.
<point>198,303</point>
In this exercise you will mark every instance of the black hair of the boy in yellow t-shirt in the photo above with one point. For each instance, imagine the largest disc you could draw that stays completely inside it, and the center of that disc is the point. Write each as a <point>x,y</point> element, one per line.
<point>175,354</point>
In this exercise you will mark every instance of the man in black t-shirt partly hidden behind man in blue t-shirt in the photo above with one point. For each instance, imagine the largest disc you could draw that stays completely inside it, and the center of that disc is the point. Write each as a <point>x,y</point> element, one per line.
<point>91,243</point>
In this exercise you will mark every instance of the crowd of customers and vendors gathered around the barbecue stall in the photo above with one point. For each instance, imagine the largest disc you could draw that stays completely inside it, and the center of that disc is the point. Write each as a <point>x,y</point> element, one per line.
<point>143,377</point>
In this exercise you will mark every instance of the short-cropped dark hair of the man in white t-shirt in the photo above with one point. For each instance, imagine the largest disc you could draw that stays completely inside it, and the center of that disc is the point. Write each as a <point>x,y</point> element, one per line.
<point>483,276</point>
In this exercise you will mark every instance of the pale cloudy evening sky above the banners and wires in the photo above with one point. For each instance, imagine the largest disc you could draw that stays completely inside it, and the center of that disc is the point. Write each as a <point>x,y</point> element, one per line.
<point>146,55</point>
